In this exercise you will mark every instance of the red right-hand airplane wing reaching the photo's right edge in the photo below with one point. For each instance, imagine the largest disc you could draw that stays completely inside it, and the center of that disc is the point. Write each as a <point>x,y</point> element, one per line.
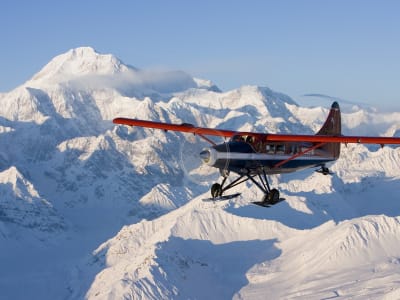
<point>332,139</point>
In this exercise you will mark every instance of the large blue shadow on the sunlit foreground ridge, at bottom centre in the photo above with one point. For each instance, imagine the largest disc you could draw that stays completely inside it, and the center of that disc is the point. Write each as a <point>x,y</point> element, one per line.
<point>203,270</point>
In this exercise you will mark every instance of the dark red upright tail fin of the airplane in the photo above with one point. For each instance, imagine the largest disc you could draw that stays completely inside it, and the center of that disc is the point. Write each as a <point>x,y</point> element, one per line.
<point>332,126</point>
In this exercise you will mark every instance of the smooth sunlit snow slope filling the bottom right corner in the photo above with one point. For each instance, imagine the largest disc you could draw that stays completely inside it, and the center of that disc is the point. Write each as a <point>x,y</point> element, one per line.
<point>351,260</point>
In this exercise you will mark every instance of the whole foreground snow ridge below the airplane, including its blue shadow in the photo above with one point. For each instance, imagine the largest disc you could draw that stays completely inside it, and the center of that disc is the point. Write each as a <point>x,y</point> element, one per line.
<point>178,256</point>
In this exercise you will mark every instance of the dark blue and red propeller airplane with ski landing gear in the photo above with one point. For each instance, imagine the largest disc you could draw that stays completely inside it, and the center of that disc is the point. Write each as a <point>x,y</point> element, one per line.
<point>252,155</point>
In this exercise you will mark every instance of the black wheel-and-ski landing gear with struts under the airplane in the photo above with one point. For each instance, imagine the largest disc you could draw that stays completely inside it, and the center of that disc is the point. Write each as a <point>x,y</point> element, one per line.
<point>271,196</point>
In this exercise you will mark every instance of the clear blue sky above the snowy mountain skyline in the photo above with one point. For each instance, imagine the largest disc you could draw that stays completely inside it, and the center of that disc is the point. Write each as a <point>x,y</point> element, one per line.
<point>346,49</point>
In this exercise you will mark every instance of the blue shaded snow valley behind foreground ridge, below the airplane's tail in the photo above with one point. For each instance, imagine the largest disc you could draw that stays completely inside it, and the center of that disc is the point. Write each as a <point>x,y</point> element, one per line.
<point>371,196</point>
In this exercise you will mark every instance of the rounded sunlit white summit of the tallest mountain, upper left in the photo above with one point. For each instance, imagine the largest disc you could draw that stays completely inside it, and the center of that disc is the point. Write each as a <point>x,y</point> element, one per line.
<point>79,62</point>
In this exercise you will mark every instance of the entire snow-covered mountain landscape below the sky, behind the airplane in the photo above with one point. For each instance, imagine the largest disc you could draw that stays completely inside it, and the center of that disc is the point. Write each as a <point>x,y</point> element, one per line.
<point>93,210</point>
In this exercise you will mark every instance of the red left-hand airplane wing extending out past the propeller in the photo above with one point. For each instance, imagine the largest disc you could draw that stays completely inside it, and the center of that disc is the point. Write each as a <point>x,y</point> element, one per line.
<point>174,127</point>
